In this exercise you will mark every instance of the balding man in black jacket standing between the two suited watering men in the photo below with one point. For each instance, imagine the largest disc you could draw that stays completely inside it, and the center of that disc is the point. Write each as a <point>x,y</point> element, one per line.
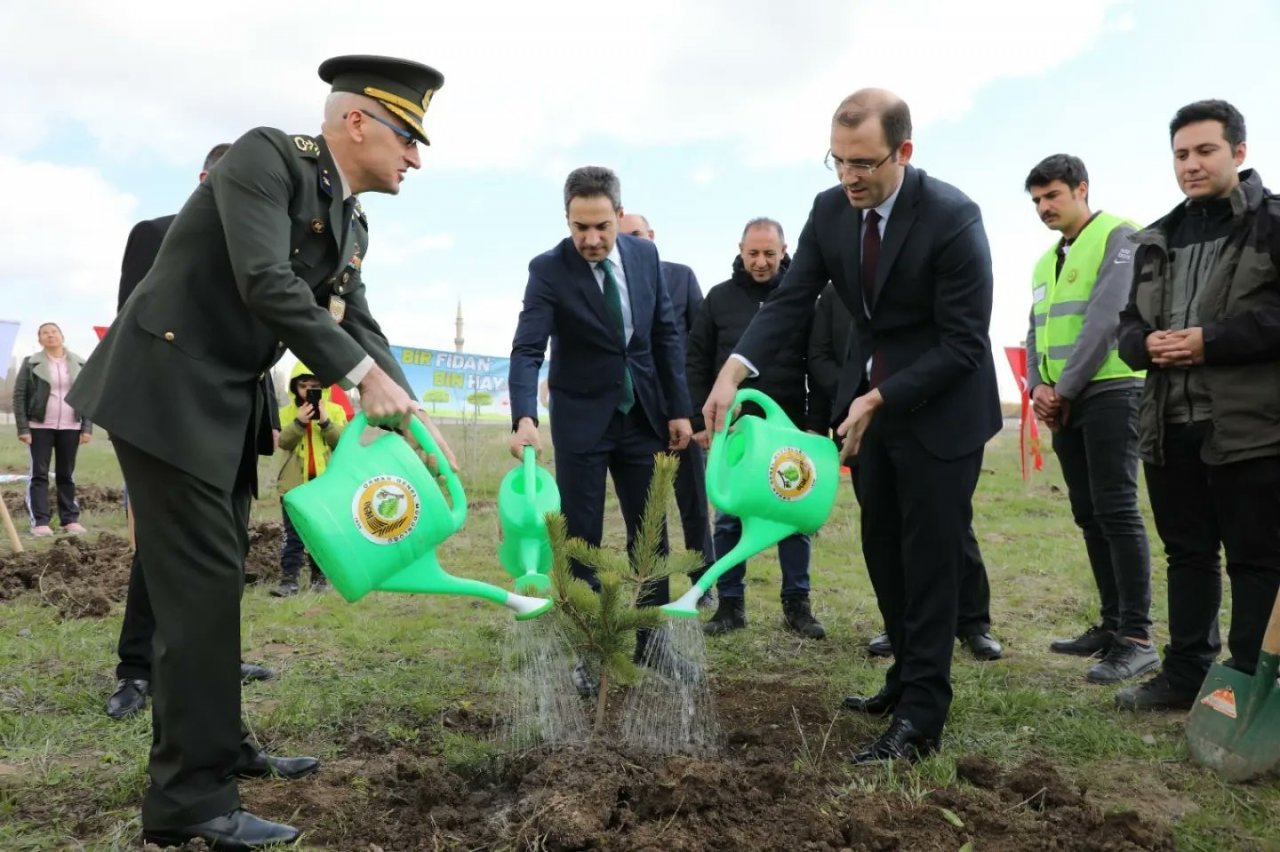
<point>728,312</point>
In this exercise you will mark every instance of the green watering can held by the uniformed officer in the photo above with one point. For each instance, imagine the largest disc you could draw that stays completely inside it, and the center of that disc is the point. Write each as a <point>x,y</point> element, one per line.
<point>374,519</point>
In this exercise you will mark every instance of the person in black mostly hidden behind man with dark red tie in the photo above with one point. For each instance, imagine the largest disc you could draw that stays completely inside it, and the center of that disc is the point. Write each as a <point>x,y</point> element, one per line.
<point>829,345</point>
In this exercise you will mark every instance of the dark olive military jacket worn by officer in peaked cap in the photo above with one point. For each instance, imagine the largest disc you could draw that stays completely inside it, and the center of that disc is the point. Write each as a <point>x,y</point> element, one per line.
<point>248,271</point>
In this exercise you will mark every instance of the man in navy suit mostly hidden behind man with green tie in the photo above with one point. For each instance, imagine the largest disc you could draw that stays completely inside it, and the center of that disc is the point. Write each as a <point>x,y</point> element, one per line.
<point>687,301</point>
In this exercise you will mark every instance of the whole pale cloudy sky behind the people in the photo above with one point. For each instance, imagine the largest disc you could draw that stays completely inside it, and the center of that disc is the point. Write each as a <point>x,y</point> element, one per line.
<point>712,113</point>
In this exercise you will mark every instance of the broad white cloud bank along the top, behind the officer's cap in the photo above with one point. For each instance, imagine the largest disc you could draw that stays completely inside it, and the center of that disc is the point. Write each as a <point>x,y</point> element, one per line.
<point>524,83</point>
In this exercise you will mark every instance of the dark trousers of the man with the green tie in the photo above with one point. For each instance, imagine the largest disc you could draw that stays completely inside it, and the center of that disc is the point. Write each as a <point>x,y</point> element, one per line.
<point>625,454</point>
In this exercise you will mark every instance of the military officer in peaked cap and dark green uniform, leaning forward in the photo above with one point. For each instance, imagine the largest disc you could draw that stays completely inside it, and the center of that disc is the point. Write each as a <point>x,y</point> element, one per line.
<point>264,256</point>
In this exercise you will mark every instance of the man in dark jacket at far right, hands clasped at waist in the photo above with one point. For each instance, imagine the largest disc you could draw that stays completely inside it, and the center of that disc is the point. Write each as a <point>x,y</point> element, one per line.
<point>1204,322</point>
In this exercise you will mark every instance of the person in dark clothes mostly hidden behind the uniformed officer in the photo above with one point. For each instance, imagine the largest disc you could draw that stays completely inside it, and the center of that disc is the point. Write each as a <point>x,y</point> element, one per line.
<point>138,627</point>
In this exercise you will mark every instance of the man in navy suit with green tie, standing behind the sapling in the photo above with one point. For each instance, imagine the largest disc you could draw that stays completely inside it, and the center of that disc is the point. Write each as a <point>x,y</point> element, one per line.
<point>618,370</point>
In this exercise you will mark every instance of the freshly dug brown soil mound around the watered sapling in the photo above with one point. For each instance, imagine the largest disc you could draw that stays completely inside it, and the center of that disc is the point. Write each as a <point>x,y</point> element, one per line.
<point>758,795</point>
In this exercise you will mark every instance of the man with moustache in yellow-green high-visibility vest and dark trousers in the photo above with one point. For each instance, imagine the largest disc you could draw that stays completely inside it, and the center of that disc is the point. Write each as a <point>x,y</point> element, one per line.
<point>1089,398</point>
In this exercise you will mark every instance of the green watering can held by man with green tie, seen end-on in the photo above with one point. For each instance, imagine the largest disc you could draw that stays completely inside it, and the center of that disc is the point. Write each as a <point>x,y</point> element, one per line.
<point>527,494</point>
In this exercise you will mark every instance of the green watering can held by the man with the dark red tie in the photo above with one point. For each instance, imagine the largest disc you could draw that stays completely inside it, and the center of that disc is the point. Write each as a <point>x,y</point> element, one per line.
<point>778,479</point>
